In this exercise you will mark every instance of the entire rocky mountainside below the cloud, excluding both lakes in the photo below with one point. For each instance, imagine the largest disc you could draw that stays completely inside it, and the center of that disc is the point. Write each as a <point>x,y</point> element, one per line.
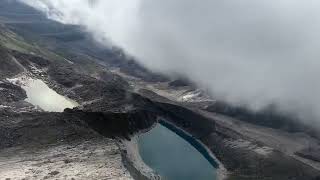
<point>118,98</point>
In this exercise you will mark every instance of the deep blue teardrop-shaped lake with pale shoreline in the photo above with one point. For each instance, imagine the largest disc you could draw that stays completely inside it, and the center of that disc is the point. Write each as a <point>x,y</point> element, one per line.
<point>172,157</point>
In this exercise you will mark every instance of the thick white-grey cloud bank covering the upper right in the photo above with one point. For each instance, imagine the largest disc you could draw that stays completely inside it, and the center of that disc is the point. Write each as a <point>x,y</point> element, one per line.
<point>245,52</point>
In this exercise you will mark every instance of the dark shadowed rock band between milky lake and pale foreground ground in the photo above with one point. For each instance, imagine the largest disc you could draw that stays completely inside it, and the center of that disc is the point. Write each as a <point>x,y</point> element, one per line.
<point>49,128</point>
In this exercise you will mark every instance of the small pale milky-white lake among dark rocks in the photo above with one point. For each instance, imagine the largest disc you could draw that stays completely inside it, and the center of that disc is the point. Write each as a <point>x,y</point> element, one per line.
<point>39,94</point>
